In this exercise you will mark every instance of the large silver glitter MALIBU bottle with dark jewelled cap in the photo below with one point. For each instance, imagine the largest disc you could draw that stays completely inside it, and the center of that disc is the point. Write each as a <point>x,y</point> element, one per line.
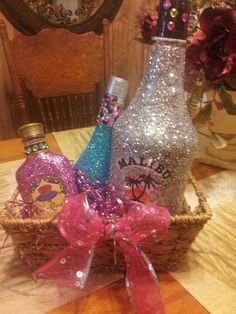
<point>154,139</point>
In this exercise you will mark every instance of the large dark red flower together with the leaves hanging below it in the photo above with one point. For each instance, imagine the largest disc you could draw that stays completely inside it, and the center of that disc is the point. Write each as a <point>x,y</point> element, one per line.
<point>211,63</point>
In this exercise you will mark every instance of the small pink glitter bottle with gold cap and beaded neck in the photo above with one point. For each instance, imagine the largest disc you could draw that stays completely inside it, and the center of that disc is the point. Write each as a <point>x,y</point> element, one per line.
<point>45,179</point>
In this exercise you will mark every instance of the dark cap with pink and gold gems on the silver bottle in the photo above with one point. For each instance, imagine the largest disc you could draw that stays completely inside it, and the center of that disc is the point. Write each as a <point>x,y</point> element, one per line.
<point>173,18</point>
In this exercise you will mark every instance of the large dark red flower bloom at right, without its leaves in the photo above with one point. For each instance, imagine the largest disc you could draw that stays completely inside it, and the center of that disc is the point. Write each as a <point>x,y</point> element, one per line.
<point>214,49</point>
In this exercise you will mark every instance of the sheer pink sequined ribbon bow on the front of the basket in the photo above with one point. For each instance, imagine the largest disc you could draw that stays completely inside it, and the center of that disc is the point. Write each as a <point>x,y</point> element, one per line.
<point>83,227</point>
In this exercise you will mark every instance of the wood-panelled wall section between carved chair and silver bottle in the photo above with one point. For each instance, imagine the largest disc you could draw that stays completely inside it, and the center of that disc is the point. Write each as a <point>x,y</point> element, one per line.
<point>128,54</point>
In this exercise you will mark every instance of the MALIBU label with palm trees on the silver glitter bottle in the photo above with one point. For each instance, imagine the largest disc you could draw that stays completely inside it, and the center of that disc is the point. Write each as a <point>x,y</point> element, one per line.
<point>143,178</point>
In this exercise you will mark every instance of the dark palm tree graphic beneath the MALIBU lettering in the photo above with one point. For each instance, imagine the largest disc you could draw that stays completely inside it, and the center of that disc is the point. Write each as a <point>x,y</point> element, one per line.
<point>133,182</point>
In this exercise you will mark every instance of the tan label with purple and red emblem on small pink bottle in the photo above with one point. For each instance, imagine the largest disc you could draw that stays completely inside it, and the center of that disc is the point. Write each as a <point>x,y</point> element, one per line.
<point>47,195</point>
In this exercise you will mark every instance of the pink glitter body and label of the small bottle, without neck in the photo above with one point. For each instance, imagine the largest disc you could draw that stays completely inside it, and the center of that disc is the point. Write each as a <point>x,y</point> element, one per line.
<point>46,179</point>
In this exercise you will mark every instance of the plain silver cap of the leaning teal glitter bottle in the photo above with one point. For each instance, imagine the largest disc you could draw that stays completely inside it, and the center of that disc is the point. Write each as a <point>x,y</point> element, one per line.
<point>118,87</point>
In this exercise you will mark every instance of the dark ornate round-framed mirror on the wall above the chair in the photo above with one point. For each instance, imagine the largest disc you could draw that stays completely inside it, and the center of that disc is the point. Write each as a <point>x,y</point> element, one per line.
<point>79,16</point>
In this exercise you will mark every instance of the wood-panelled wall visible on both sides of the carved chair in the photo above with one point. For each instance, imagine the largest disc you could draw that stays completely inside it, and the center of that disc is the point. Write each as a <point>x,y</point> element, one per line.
<point>128,59</point>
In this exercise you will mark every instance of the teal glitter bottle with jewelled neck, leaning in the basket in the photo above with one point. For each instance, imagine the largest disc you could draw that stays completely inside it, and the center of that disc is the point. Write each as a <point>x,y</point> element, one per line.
<point>94,161</point>
